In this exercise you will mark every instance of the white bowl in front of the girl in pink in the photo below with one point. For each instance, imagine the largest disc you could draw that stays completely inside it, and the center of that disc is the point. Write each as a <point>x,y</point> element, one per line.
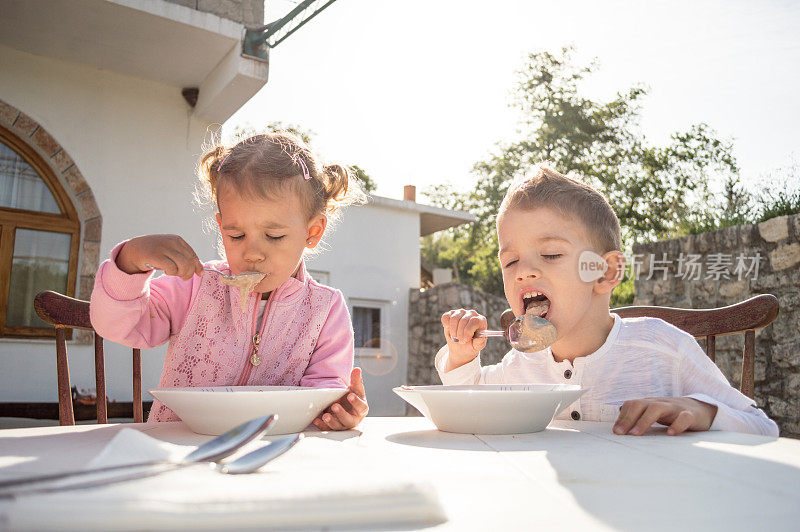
<point>218,409</point>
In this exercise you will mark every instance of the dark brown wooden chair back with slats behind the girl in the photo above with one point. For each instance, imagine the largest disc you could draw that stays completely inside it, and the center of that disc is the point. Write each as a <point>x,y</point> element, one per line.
<point>63,313</point>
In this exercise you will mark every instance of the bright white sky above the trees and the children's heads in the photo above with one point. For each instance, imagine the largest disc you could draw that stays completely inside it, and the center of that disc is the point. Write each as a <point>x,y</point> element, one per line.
<point>416,91</point>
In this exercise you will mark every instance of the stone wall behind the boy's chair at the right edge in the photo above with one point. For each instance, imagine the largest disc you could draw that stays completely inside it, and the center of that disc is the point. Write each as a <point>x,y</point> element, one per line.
<point>726,275</point>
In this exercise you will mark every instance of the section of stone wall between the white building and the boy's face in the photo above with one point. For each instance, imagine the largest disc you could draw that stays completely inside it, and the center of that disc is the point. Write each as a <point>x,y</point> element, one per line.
<point>425,327</point>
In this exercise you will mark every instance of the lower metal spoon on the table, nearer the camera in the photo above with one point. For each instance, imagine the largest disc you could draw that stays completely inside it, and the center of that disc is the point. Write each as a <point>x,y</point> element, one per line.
<point>248,463</point>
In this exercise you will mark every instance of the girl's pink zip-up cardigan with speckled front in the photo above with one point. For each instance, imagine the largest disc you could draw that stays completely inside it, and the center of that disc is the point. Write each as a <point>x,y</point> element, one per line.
<point>305,339</point>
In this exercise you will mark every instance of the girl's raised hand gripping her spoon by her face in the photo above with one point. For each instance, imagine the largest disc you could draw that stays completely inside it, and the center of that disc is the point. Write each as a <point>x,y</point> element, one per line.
<point>170,253</point>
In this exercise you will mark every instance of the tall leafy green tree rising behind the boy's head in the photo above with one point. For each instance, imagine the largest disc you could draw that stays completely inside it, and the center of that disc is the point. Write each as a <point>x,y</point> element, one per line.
<point>653,189</point>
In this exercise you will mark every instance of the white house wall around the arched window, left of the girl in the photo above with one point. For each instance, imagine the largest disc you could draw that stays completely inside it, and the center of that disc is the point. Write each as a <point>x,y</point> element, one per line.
<point>136,146</point>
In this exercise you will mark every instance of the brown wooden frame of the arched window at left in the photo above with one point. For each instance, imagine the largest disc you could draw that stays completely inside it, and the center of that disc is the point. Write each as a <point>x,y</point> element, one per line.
<point>11,219</point>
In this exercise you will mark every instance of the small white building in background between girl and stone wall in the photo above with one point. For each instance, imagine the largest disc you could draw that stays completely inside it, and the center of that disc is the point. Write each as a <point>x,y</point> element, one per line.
<point>374,259</point>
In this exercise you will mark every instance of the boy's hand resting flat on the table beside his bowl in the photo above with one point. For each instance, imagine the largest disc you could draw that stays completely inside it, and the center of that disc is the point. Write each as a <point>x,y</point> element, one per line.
<point>679,413</point>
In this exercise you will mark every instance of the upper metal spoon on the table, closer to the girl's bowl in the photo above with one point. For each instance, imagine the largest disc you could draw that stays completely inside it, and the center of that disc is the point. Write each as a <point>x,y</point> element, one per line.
<point>213,450</point>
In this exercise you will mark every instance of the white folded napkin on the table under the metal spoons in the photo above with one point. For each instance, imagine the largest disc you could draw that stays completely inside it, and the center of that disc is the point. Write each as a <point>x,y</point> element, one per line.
<point>318,483</point>
